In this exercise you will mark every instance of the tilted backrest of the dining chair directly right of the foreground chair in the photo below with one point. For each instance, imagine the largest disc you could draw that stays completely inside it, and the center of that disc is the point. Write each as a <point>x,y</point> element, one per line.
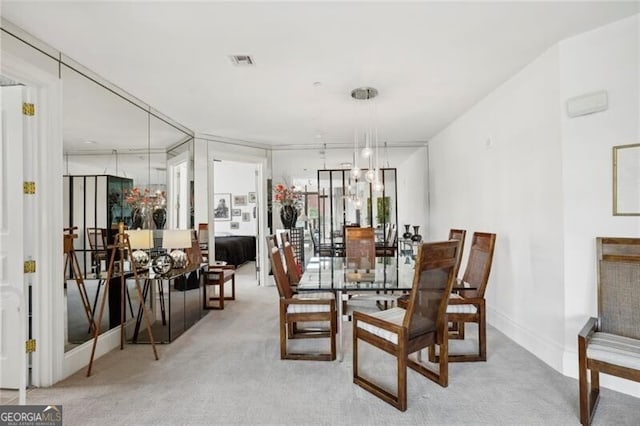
<point>479,261</point>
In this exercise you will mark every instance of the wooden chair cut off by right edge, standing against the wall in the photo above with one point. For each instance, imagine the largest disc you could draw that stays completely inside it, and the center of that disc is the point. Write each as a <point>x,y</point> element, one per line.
<point>610,343</point>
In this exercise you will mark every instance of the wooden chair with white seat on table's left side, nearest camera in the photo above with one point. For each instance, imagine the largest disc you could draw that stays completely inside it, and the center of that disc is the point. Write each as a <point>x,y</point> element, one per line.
<point>303,308</point>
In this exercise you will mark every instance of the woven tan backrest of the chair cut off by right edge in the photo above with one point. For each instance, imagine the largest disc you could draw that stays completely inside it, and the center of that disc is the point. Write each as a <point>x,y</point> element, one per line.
<point>619,286</point>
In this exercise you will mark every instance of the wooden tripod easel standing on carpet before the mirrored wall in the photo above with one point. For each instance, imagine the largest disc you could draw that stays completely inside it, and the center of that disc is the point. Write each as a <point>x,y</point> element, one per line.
<point>121,244</point>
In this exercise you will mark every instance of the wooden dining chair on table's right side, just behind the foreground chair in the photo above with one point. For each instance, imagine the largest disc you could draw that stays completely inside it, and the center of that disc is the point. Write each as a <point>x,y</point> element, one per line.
<point>469,305</point>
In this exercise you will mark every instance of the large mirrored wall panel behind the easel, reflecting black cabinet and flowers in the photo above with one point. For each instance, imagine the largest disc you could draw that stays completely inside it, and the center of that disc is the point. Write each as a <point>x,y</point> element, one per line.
<point>124,162</point>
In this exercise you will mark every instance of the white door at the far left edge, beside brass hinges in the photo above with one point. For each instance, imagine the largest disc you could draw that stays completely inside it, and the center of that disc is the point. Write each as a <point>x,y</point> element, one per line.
<point>12,315</point>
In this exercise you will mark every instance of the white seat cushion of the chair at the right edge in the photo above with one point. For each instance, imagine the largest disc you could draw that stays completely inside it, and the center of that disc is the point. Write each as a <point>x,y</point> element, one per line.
<point>614,349</point>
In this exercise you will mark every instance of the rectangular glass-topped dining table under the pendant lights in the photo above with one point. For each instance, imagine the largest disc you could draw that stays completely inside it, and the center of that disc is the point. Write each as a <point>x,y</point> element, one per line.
<point>386,279</point>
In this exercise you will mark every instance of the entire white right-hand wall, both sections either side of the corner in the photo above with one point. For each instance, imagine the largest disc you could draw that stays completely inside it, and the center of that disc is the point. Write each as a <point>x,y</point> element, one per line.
<point>515,164</point>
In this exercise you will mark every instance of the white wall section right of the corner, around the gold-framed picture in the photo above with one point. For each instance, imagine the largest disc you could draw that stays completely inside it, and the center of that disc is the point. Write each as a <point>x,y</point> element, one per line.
<point>603,59</point>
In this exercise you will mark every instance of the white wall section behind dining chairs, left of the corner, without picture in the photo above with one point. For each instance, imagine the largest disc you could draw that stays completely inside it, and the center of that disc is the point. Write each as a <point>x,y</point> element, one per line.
<point>497,169</point>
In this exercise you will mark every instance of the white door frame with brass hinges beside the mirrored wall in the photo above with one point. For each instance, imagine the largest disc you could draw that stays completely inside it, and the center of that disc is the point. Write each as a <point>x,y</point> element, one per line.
<point>43,237</point>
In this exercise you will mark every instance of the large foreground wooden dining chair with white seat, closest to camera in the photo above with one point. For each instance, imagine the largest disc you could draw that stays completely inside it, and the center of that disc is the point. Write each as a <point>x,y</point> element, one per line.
<point>402,332</point>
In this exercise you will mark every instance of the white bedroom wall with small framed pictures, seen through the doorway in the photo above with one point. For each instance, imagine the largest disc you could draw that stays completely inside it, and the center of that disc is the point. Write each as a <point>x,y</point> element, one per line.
<point>236,178</point>
